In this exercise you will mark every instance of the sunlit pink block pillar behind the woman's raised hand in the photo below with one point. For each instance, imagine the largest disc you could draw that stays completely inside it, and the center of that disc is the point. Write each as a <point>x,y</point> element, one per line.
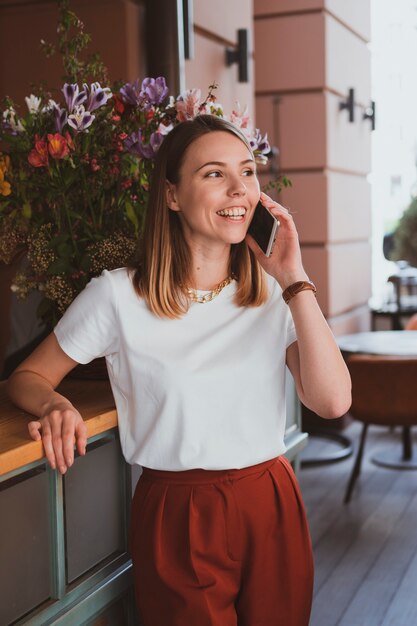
<point>308,53</point>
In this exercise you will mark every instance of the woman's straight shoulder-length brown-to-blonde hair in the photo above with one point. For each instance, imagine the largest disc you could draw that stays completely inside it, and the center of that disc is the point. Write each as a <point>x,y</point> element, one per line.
<point>163,261</point>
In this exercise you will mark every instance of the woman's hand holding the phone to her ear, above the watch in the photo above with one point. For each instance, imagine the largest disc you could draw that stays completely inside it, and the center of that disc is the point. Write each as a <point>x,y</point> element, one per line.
<point>285,263</point>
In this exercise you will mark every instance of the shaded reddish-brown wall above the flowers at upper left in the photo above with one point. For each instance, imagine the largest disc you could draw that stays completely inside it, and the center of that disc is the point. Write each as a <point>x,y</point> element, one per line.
<point>116,35</point>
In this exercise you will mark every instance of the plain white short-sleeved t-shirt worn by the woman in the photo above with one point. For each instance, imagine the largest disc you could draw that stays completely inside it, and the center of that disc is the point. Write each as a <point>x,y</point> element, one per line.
<point>203,391</point>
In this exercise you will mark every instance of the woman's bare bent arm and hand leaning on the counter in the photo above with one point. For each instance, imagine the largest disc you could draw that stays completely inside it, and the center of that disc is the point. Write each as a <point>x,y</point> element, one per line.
<point>32,388</point>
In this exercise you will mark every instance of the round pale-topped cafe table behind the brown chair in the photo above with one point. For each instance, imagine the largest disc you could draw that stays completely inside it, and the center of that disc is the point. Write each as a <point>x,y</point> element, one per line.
<point>401,343</point>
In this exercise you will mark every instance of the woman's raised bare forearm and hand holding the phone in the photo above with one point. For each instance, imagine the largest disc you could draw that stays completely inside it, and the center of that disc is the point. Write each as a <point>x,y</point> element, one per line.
<point>320,374</point>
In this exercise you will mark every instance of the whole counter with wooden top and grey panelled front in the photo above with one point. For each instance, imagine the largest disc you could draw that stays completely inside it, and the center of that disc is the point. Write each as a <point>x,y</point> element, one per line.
<point>66,557</point>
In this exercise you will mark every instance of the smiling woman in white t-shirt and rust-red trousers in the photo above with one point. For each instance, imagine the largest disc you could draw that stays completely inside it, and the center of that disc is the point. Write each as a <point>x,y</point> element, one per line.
<point>196,338</point>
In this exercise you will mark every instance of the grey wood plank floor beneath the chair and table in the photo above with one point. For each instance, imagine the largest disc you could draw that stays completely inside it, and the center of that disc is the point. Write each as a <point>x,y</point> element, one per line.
<point>366,551</point>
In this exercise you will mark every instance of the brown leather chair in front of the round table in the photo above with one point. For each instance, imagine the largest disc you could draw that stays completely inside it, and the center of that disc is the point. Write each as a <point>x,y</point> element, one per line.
<point>384,392</point>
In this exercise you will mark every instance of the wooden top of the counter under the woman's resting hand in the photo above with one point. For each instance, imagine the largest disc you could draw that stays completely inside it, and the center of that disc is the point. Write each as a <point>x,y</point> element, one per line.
<point>93,399</point>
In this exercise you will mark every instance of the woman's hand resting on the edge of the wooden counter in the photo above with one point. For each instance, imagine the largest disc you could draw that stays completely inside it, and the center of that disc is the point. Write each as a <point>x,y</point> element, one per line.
<point>60,426</point>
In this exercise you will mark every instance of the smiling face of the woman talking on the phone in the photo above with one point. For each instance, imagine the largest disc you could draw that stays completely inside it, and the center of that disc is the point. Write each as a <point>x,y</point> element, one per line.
<point>217,192</point>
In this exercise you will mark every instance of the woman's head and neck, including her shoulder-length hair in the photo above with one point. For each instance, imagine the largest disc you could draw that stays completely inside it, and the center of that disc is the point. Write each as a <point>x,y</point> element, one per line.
<point>205,167</point>
